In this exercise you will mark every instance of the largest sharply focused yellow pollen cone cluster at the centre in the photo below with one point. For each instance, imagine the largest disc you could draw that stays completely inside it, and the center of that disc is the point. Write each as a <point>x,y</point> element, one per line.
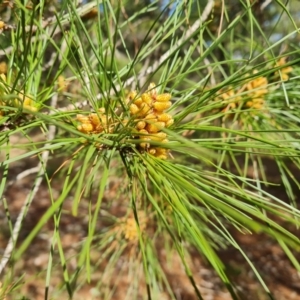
<point>150,118</point>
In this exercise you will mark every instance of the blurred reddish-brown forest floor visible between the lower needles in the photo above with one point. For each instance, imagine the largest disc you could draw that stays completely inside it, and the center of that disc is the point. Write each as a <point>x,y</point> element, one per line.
<point>278,273</point>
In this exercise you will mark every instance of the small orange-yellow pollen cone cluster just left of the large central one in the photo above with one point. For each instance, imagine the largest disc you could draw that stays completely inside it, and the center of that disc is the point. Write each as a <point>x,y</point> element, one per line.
<point>95,122</point>
